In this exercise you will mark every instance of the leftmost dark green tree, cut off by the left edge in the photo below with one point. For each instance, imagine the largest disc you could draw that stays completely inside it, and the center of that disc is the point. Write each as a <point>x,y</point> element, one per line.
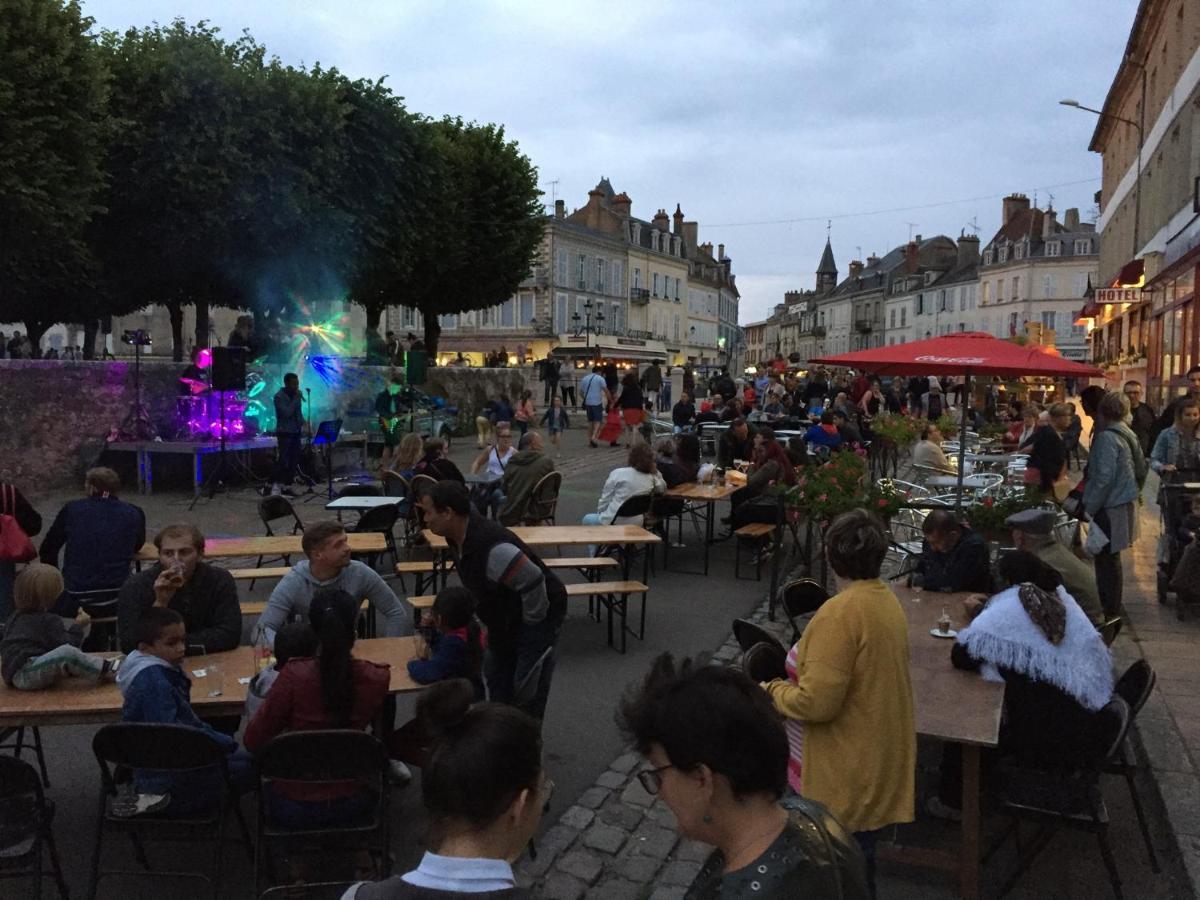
<point>52,129</point>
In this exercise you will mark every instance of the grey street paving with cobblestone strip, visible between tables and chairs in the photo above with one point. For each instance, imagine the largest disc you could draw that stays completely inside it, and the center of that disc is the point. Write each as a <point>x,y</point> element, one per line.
<point>603,837</point>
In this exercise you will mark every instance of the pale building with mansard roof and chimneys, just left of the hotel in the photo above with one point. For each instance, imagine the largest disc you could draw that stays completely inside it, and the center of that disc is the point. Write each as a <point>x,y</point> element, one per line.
<point>1034,277</point>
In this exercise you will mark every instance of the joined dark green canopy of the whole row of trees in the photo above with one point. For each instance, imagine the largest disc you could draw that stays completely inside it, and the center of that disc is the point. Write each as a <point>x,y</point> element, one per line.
<point>167,165</point>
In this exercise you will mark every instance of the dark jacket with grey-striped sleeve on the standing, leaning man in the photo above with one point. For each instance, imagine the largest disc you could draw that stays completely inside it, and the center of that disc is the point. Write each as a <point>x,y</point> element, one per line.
<point>508,593</point>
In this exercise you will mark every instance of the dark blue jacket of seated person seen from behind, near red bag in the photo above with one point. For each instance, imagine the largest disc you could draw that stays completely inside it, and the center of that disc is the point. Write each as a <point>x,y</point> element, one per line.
<point>103,536</point>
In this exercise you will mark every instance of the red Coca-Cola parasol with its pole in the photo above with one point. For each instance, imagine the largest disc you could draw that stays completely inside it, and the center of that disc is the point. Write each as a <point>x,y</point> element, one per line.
<point>964,353</point>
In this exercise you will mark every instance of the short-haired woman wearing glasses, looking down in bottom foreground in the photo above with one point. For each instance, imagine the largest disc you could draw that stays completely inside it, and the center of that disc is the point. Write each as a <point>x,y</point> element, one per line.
<point>717,753</point>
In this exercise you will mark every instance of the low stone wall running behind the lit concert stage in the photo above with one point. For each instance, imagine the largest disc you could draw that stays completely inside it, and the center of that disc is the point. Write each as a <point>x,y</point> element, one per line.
<point>57,415</point>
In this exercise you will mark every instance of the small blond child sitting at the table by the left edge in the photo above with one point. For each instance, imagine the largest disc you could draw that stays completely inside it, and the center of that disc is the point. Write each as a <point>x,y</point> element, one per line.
<point>39,649</point>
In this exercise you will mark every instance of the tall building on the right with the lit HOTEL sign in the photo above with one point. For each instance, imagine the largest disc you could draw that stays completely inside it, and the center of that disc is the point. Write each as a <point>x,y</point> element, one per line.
<point>1144,316</point>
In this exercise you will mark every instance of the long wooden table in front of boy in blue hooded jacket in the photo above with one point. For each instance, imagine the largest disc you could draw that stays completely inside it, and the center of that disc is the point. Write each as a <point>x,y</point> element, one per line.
<point>74,701</point>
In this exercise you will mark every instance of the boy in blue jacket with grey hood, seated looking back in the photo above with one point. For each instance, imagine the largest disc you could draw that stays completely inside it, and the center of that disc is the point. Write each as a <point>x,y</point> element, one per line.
<point>158,691</point>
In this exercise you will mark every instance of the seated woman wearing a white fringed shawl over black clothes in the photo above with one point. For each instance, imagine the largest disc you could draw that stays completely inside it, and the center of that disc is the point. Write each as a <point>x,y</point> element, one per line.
<point>1057,670</point>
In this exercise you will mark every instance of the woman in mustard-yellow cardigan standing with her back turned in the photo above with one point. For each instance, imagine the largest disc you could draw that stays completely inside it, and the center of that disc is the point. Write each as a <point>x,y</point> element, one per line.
<point>854,694</point>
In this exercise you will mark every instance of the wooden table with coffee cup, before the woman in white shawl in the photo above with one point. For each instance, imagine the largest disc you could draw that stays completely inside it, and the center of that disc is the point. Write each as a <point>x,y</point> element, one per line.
<point>955,706</point>
